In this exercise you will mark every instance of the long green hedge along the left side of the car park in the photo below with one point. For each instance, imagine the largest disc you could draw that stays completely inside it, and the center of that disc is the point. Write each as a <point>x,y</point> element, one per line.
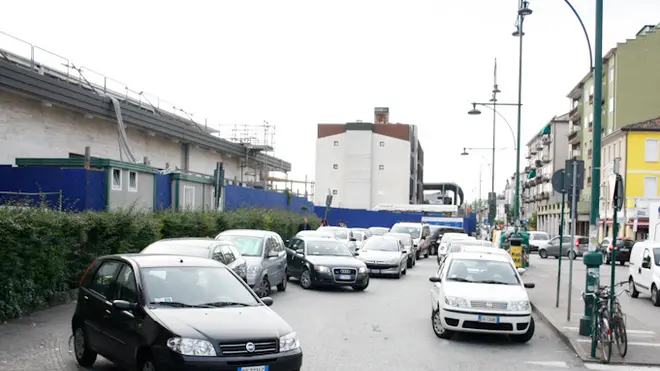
<point>44,252</point>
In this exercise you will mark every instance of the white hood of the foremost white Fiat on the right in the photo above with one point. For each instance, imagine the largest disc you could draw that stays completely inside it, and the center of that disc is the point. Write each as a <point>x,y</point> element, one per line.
<point>476,291</point>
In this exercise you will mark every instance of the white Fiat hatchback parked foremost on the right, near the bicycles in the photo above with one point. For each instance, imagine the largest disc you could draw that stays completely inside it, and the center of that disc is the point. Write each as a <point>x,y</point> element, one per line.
<point>476,292</point>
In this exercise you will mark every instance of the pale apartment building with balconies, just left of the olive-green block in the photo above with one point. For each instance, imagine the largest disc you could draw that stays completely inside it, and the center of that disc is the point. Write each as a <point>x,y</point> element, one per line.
<point>546,153</point>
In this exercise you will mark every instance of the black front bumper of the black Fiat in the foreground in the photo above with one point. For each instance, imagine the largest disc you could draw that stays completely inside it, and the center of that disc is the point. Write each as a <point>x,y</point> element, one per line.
<point>287,361</point>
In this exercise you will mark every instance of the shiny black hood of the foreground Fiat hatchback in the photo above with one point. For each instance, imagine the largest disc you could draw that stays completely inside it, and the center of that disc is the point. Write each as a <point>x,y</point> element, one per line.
<point>223,324</point>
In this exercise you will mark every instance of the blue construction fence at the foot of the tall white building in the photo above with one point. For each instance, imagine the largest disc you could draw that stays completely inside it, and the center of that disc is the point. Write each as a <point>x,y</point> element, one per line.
<point>356,218</point>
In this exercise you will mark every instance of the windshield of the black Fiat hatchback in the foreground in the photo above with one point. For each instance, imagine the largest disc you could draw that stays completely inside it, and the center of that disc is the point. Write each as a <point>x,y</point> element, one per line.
<point>194,287</point>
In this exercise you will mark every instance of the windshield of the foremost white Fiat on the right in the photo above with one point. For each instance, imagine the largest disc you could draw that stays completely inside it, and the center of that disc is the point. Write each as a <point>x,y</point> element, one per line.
<point>483,271</point>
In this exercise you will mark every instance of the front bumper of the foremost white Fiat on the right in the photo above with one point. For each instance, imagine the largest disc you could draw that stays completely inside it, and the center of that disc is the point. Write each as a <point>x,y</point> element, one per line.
<point>469,321</point>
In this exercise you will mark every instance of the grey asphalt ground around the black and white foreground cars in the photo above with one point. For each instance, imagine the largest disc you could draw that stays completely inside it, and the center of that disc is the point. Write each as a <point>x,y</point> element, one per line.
<point>386,327</point>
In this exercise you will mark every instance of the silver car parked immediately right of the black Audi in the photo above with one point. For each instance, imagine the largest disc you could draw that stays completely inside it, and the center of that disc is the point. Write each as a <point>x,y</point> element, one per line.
<point>384,256</point>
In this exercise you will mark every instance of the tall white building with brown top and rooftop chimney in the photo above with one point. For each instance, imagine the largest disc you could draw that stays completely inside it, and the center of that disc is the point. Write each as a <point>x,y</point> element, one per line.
<point>363,164</point>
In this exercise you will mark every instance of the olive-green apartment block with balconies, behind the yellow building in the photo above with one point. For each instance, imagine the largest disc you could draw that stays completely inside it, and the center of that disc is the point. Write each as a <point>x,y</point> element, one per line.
<point>630,94</point>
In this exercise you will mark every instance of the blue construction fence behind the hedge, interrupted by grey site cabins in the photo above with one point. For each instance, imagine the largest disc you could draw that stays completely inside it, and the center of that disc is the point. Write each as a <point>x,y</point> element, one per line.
<point>79,189</point>
